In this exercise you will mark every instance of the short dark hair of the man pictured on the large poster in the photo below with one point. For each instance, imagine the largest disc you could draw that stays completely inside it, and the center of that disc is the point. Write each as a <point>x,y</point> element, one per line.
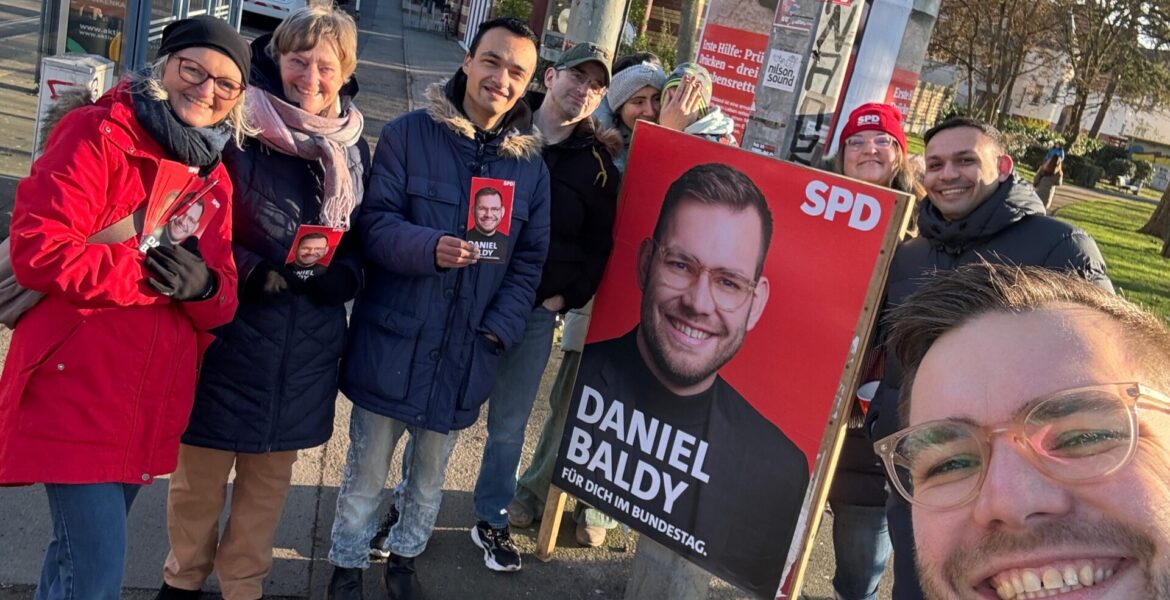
<point>718,185</point>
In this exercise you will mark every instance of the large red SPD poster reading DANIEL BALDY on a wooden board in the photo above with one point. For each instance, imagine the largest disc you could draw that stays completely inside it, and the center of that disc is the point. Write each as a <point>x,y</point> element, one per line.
<point>720,335</point>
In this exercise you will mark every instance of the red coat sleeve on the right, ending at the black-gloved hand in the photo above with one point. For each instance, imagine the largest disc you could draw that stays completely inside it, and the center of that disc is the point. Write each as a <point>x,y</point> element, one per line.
<point>216,246</point>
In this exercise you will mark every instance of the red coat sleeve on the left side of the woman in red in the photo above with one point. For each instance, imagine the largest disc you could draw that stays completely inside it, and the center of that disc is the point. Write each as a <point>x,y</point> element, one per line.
<point>59,205</point>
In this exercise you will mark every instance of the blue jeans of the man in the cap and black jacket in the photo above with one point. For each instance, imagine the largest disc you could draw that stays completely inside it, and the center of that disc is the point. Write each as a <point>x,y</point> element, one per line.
<point>510,406</point>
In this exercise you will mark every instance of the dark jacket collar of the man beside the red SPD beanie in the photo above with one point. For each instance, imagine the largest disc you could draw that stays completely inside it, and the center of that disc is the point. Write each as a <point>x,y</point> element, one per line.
<point>1011,203</point>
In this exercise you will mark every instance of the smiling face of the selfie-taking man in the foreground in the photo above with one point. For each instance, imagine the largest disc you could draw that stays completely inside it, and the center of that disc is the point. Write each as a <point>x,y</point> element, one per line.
<point>1111,536</point>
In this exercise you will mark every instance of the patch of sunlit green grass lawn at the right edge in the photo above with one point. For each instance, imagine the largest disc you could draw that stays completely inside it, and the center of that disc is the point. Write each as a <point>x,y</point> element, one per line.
<point>1135,266</point>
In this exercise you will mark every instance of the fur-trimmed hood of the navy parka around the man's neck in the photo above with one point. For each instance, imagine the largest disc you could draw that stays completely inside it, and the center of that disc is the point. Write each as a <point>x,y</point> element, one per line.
<point>519,137</point>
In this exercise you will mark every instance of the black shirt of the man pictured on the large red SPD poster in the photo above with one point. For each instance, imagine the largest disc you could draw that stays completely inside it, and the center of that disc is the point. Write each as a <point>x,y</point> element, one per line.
<point>729,484</point>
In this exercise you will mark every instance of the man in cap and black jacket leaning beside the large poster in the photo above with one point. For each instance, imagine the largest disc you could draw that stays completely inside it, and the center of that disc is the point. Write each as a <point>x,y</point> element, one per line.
<point>584,197</point>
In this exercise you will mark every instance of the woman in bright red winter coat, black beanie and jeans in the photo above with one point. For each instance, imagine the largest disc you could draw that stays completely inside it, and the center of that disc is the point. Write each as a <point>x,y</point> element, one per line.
<point>100,378</point>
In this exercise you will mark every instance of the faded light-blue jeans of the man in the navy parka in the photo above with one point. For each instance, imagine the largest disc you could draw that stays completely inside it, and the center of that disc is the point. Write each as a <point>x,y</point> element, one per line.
<point>373,442</point>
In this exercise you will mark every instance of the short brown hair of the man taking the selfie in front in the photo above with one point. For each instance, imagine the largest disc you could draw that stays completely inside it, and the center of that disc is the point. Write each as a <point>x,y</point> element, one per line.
<point>949,300</point>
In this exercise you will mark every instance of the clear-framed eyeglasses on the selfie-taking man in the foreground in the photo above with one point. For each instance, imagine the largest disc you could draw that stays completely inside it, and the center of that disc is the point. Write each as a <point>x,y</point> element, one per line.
<point>1073,436</point>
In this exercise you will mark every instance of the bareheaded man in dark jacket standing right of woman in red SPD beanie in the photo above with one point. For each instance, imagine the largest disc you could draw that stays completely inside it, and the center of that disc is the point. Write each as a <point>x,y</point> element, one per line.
<point>979,210</point>
